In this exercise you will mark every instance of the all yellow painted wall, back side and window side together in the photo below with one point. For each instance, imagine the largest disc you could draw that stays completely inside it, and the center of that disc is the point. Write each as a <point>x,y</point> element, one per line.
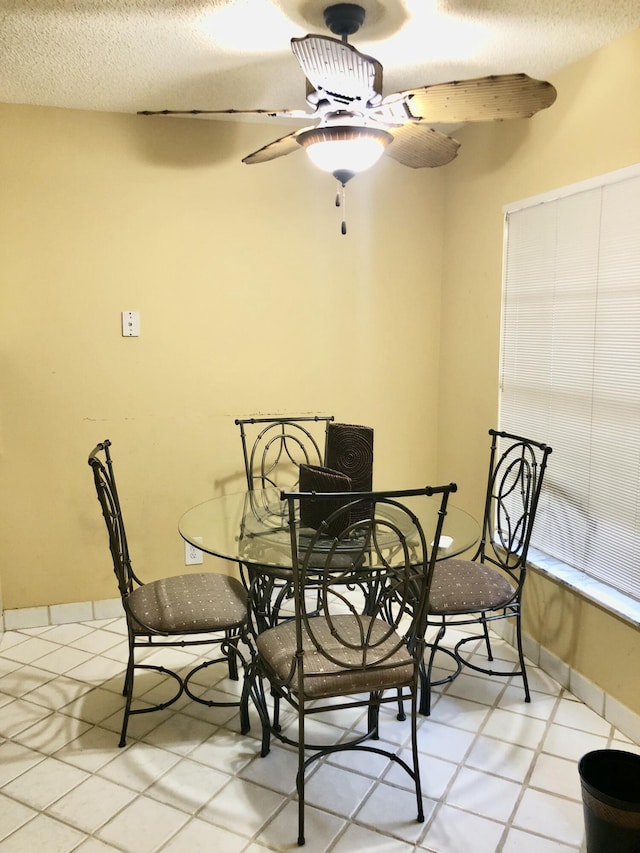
<point>252,302</point>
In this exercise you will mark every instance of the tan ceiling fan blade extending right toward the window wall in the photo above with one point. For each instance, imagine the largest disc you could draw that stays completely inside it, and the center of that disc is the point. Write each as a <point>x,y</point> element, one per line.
<point>492,98</point>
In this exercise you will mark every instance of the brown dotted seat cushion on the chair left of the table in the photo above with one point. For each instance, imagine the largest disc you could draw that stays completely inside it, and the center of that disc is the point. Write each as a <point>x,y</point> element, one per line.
<point>185,604</point>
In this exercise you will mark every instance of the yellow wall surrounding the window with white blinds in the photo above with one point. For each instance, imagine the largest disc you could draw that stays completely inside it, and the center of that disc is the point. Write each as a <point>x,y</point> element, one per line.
<point>593,128</point>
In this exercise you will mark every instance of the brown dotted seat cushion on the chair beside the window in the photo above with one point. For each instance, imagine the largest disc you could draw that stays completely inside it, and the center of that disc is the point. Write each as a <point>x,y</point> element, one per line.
<point>463,586</point>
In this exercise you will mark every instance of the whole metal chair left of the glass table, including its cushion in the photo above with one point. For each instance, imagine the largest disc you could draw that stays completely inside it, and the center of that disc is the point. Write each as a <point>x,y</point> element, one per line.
<point>182,610</point>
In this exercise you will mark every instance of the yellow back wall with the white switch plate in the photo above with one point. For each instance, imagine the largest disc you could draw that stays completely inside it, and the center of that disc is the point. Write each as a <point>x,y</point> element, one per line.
<point>251,302</point>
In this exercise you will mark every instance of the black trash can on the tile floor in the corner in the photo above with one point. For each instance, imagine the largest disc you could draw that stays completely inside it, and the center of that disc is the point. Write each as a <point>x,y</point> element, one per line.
<point>610,780</point>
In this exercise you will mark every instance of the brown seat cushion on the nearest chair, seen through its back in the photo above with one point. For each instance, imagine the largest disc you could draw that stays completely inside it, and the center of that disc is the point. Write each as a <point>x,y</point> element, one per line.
<point>365,670</point>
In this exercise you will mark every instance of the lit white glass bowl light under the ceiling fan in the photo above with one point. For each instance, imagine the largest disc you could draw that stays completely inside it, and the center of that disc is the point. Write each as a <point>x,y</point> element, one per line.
<point>344,150</point>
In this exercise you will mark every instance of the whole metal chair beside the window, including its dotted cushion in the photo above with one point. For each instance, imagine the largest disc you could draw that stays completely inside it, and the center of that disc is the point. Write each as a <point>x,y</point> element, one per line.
<point>488,587</point>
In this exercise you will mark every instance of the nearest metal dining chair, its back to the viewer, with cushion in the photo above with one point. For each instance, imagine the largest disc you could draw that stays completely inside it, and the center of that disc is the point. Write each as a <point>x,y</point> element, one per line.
<point>363,647</point>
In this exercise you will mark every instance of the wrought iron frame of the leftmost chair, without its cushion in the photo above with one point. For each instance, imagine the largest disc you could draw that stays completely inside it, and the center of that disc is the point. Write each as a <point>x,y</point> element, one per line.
<point>142,635</point>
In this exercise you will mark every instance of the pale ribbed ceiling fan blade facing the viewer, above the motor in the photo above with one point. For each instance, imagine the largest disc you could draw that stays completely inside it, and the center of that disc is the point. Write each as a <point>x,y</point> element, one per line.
<point>337,70</point>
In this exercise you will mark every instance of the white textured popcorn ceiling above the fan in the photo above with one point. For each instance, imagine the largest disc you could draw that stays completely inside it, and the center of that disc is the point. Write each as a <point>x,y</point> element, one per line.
<point>130,55</point>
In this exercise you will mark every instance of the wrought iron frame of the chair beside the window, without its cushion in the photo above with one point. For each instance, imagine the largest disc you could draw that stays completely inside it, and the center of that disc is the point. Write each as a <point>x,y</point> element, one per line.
<point>503,546</point>
